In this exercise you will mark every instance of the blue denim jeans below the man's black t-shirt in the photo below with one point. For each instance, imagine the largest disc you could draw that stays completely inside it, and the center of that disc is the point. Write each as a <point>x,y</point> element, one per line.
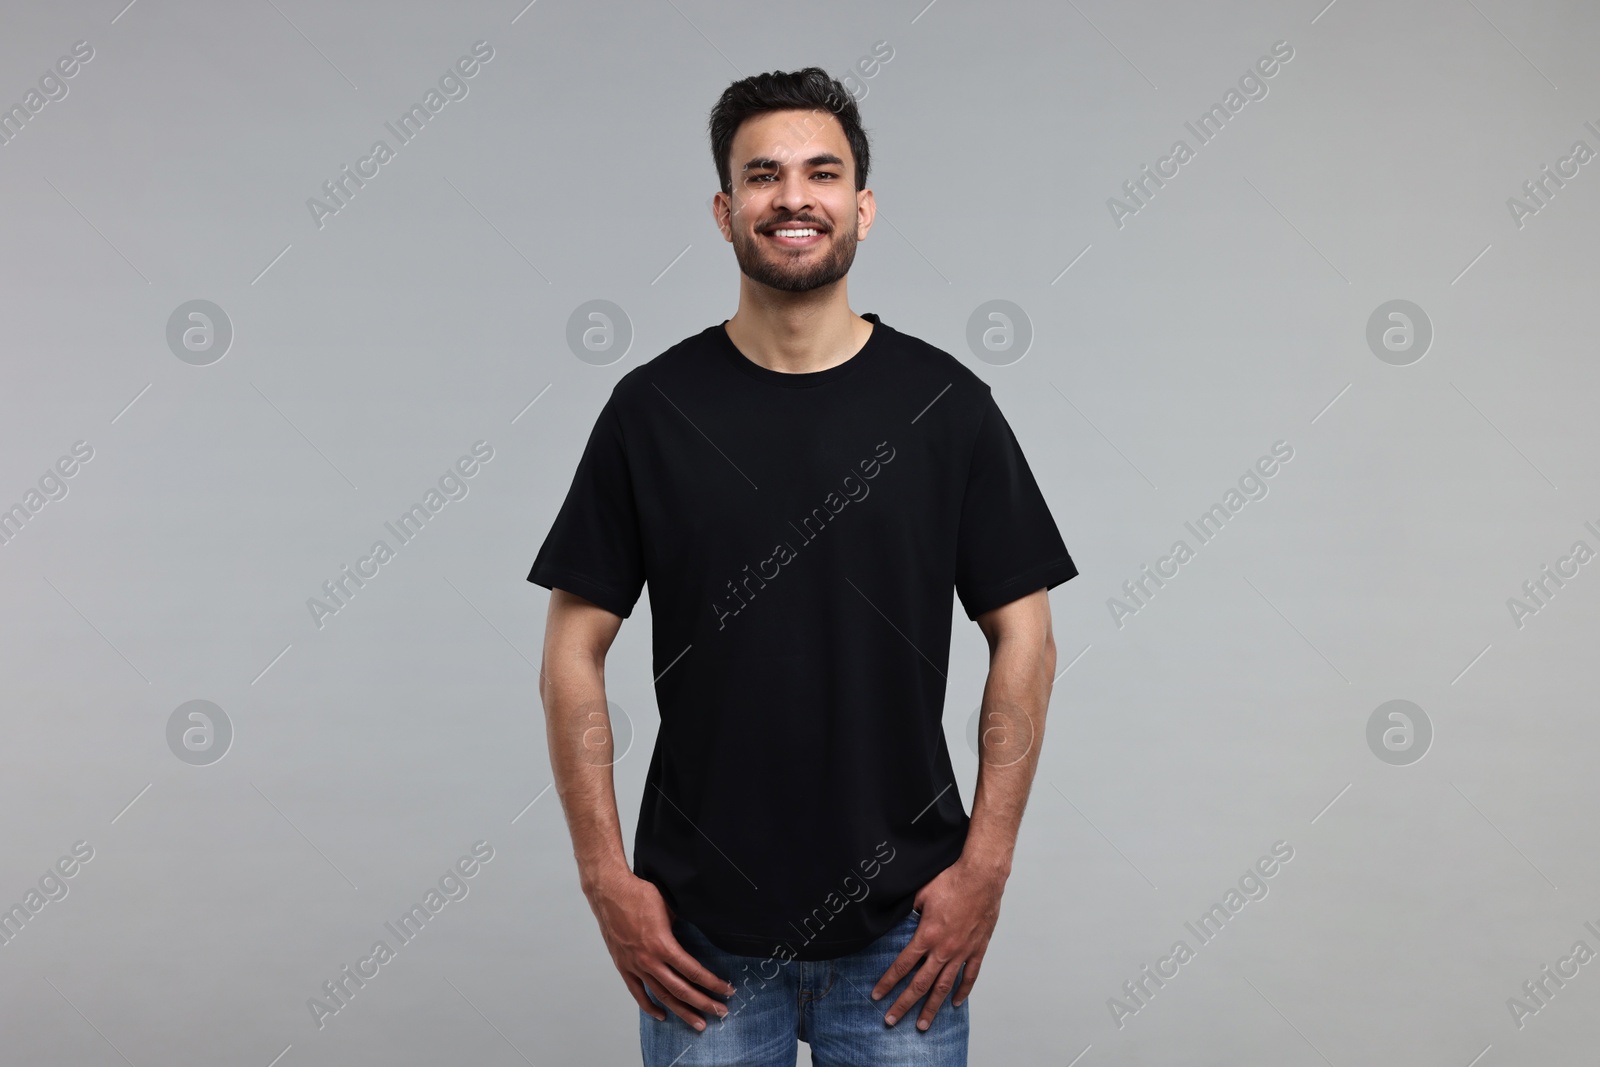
<point>826,1004</point>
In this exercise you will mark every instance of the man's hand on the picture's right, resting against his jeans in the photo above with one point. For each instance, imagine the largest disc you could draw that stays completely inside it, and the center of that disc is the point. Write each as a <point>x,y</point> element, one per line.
<point>959,914</point>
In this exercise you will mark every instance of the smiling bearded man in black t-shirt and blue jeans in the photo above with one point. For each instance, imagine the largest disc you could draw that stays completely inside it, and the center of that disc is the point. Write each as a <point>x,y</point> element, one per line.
<point>802,489</point>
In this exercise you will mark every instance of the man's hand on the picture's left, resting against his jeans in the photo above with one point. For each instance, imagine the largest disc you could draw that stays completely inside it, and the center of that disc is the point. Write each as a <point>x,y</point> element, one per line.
<point>638,930</point>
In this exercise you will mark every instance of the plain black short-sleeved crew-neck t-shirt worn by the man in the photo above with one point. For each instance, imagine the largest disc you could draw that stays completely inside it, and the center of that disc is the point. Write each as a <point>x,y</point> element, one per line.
<point>801,537</point>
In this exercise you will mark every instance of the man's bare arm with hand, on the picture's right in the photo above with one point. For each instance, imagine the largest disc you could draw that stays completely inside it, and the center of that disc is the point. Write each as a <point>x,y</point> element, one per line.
<point>962,905</point>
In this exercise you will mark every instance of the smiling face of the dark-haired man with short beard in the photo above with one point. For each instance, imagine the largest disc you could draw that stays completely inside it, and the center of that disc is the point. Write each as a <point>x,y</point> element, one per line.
<point>794,174</point>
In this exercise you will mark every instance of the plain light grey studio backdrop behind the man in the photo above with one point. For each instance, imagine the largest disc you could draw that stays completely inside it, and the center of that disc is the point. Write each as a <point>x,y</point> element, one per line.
<point>372,353</point>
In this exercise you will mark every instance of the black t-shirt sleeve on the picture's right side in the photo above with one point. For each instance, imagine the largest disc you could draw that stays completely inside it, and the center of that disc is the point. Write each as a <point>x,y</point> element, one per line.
<point>1009,545</point>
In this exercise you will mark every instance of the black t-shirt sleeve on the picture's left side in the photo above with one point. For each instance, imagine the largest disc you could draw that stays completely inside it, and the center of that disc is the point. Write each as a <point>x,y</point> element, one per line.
<point>594,546</point>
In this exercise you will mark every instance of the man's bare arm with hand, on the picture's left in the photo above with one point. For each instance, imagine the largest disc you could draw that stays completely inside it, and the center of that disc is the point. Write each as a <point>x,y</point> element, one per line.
<point>634,919</point>
